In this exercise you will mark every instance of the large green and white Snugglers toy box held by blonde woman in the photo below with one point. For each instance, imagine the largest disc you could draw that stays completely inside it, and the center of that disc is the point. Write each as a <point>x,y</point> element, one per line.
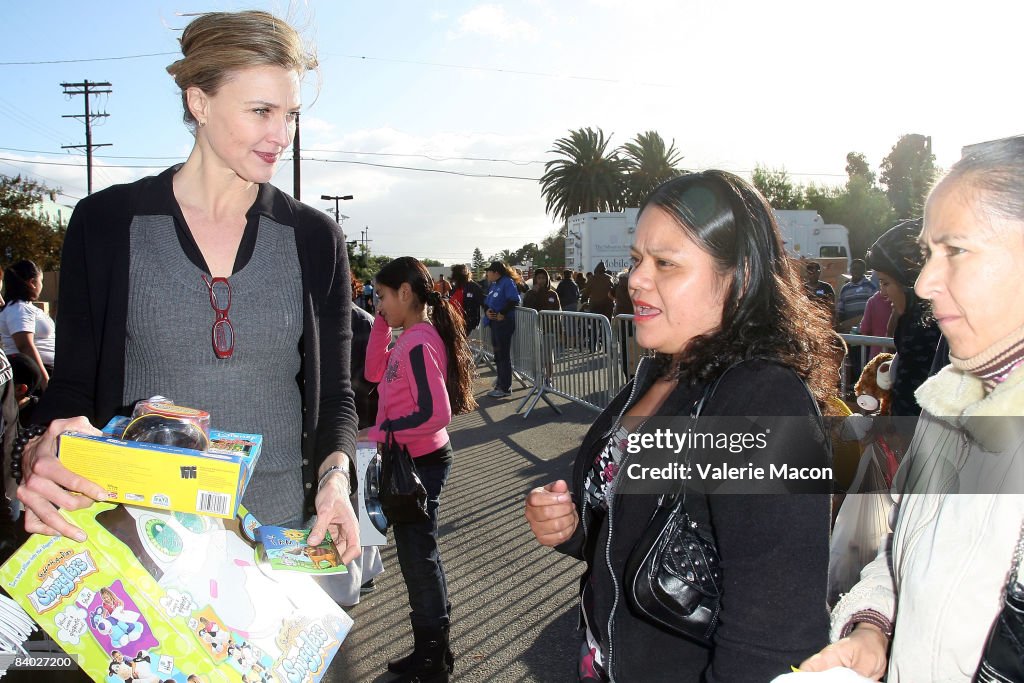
<point>156,596</point>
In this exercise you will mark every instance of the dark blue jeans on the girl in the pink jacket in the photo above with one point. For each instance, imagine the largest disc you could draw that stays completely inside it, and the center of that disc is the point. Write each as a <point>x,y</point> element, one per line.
<point>419,557</point>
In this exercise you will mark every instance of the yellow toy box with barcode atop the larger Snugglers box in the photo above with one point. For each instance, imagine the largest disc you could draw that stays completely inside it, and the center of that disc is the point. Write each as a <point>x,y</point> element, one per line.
<point>166,478</point>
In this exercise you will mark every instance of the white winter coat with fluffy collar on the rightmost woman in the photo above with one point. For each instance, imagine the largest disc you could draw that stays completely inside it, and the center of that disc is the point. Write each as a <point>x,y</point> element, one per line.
<point>957,523</point>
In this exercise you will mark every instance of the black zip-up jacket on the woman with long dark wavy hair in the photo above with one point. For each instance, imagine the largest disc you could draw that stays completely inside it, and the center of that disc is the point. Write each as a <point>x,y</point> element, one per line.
<point>774,548</point>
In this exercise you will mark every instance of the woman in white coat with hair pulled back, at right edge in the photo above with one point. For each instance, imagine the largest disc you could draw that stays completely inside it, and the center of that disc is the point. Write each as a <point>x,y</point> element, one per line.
<point>924,608</point>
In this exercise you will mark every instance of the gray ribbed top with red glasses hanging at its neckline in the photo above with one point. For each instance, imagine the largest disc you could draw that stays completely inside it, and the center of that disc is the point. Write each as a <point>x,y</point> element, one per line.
<point>169,352</point>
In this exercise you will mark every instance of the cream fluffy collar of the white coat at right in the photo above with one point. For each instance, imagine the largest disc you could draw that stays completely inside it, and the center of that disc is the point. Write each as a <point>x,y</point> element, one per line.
<point>959,398</point>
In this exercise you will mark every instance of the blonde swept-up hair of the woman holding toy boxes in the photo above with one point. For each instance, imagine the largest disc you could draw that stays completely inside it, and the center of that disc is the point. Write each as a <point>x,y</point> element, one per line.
<point>218,45</point>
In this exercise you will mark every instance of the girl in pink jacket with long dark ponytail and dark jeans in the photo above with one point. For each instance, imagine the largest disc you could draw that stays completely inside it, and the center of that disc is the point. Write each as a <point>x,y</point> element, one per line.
<point>423,380</point>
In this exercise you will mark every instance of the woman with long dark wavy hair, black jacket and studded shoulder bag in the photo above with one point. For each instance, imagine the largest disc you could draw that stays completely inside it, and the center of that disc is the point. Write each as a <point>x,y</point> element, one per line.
<point>715,296</point>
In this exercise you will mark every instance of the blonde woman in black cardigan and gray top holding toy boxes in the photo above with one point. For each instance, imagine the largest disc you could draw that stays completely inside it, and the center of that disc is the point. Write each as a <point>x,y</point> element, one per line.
<point>208,285</point>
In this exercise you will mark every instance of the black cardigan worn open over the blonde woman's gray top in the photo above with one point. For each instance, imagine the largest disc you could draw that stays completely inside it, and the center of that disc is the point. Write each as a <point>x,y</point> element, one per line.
<point>93,314</point>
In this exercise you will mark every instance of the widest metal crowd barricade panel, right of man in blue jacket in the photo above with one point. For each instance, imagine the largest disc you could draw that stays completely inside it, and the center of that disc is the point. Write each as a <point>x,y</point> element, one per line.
<point>575,361</point>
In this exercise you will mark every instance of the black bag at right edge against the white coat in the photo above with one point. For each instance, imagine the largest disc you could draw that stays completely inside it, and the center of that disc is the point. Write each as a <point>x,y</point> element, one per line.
<point>1003,660</point>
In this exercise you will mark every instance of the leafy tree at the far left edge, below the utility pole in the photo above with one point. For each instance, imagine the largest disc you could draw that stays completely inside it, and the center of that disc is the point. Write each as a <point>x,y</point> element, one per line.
<point>25,232</point>
